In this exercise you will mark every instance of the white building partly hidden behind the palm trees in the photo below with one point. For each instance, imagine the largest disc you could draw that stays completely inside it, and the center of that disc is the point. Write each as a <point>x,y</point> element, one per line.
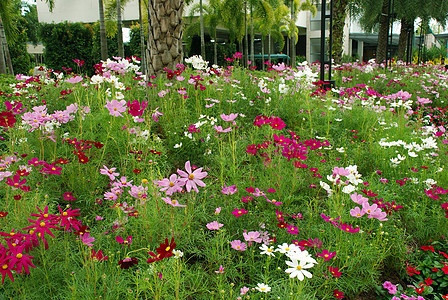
<point>357,43</point>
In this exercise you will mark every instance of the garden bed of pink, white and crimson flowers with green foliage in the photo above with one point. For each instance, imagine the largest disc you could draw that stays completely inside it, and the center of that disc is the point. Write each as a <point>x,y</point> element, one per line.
<point>224,182</point>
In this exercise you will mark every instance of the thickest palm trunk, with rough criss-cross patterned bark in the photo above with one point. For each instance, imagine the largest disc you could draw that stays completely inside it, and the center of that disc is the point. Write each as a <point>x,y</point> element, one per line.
<point>165,27</point>
